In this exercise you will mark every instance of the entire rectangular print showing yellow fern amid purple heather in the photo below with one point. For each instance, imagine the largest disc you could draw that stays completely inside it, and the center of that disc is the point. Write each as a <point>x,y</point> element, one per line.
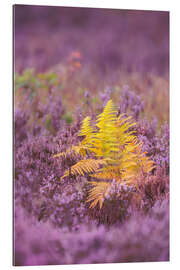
<point>91,136</point>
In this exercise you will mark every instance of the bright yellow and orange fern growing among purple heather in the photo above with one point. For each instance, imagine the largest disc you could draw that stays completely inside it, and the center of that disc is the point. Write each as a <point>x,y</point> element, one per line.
<point>116,153</point>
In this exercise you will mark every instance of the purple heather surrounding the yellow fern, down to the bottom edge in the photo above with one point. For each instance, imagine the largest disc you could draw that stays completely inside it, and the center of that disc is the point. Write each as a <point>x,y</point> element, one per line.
<point>58,208</point>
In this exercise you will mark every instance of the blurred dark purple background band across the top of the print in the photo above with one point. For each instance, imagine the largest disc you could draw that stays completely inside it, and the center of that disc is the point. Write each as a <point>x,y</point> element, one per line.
<point>106,40</point>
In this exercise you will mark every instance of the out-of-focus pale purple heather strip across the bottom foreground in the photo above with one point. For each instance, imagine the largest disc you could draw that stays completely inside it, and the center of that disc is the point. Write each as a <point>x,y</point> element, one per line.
<point>140,239</point>
